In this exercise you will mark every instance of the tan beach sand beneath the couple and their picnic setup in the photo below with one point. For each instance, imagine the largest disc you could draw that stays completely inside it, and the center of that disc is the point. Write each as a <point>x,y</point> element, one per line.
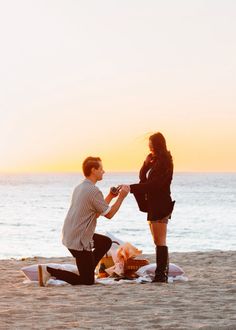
<point>206,301</point>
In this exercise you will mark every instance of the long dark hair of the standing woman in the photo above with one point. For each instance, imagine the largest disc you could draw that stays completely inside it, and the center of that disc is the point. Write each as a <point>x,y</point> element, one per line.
<point>160,149</point>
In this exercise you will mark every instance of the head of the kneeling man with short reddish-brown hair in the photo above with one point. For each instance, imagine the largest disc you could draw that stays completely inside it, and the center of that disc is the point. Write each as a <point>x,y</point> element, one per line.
<point>92,167</point>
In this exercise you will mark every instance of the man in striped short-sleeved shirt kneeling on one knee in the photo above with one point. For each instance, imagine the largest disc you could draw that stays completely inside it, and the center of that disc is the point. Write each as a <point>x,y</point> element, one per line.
<point>79,227</point>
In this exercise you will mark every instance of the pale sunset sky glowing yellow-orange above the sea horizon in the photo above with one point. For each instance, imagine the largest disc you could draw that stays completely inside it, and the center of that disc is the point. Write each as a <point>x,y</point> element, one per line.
<point>81,78</point>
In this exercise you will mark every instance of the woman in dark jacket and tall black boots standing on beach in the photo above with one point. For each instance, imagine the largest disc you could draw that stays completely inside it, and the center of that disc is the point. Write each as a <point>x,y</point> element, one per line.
<point>153,196</point>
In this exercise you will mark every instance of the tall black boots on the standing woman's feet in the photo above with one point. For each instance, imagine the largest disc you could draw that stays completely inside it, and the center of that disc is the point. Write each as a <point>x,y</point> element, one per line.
<point>162,260</point>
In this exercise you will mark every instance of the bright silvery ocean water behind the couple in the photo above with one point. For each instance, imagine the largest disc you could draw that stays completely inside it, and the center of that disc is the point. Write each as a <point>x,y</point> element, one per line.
<point>33,209</point>
